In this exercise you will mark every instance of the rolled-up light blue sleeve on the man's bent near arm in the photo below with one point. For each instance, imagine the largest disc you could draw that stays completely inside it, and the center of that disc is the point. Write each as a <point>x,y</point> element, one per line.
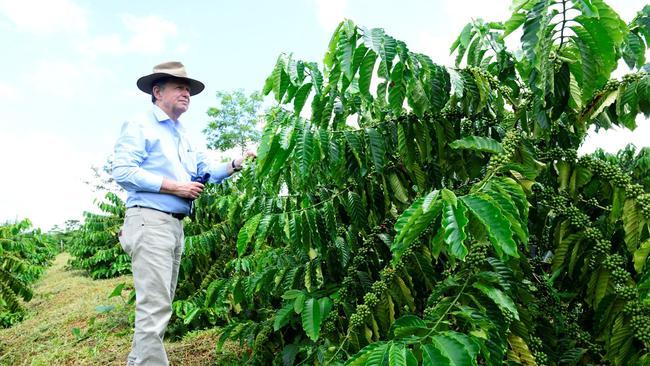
<point>130,152</point>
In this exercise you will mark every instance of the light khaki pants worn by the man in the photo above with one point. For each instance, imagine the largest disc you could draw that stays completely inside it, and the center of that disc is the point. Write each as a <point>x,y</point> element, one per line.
<point>155,242</point>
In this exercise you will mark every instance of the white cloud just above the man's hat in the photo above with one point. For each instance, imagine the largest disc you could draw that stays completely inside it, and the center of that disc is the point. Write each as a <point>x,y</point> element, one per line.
<point>145,35</point>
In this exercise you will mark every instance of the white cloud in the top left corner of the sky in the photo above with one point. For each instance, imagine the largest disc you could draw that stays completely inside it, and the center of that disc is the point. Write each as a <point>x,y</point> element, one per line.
<point>45,16</point>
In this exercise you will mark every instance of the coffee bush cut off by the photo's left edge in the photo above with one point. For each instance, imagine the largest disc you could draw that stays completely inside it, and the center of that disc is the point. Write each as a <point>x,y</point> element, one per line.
<point>24,255</point>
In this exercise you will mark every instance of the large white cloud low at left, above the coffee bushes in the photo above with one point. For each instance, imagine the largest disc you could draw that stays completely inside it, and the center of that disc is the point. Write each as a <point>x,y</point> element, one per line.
<point>44,180</point>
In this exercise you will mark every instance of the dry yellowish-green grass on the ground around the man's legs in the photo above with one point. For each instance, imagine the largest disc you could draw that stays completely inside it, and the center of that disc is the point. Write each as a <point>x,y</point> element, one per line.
<point>65,327</point>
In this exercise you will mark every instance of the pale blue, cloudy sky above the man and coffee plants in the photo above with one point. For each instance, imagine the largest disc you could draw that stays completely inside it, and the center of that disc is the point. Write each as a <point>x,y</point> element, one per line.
<point>70,67</point>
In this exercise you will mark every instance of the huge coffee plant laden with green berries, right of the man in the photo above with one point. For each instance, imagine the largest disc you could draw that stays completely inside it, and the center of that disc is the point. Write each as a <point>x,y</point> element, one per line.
<point>425,214</point>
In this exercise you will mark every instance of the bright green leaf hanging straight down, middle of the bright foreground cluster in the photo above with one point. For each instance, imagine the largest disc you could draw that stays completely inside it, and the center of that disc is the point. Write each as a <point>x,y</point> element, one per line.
<point>454,222</point>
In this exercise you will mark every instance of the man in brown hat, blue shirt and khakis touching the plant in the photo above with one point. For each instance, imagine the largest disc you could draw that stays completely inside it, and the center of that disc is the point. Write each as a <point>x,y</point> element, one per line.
<point>156,164</point>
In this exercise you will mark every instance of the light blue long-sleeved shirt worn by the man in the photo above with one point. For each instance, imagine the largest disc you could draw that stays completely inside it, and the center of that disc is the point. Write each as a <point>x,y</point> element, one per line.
<point>150,147</point>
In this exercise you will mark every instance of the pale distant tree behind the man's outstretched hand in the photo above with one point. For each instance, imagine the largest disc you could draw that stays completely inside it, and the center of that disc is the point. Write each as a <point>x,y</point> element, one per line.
<point>234,122</point>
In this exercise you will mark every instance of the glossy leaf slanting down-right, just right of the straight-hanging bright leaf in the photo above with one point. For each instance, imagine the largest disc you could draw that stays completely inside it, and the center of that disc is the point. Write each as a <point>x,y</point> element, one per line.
<point>497,226</point>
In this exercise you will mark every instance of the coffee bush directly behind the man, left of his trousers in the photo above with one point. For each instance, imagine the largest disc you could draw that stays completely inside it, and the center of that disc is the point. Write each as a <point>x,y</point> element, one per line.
<point>95,247</point>
